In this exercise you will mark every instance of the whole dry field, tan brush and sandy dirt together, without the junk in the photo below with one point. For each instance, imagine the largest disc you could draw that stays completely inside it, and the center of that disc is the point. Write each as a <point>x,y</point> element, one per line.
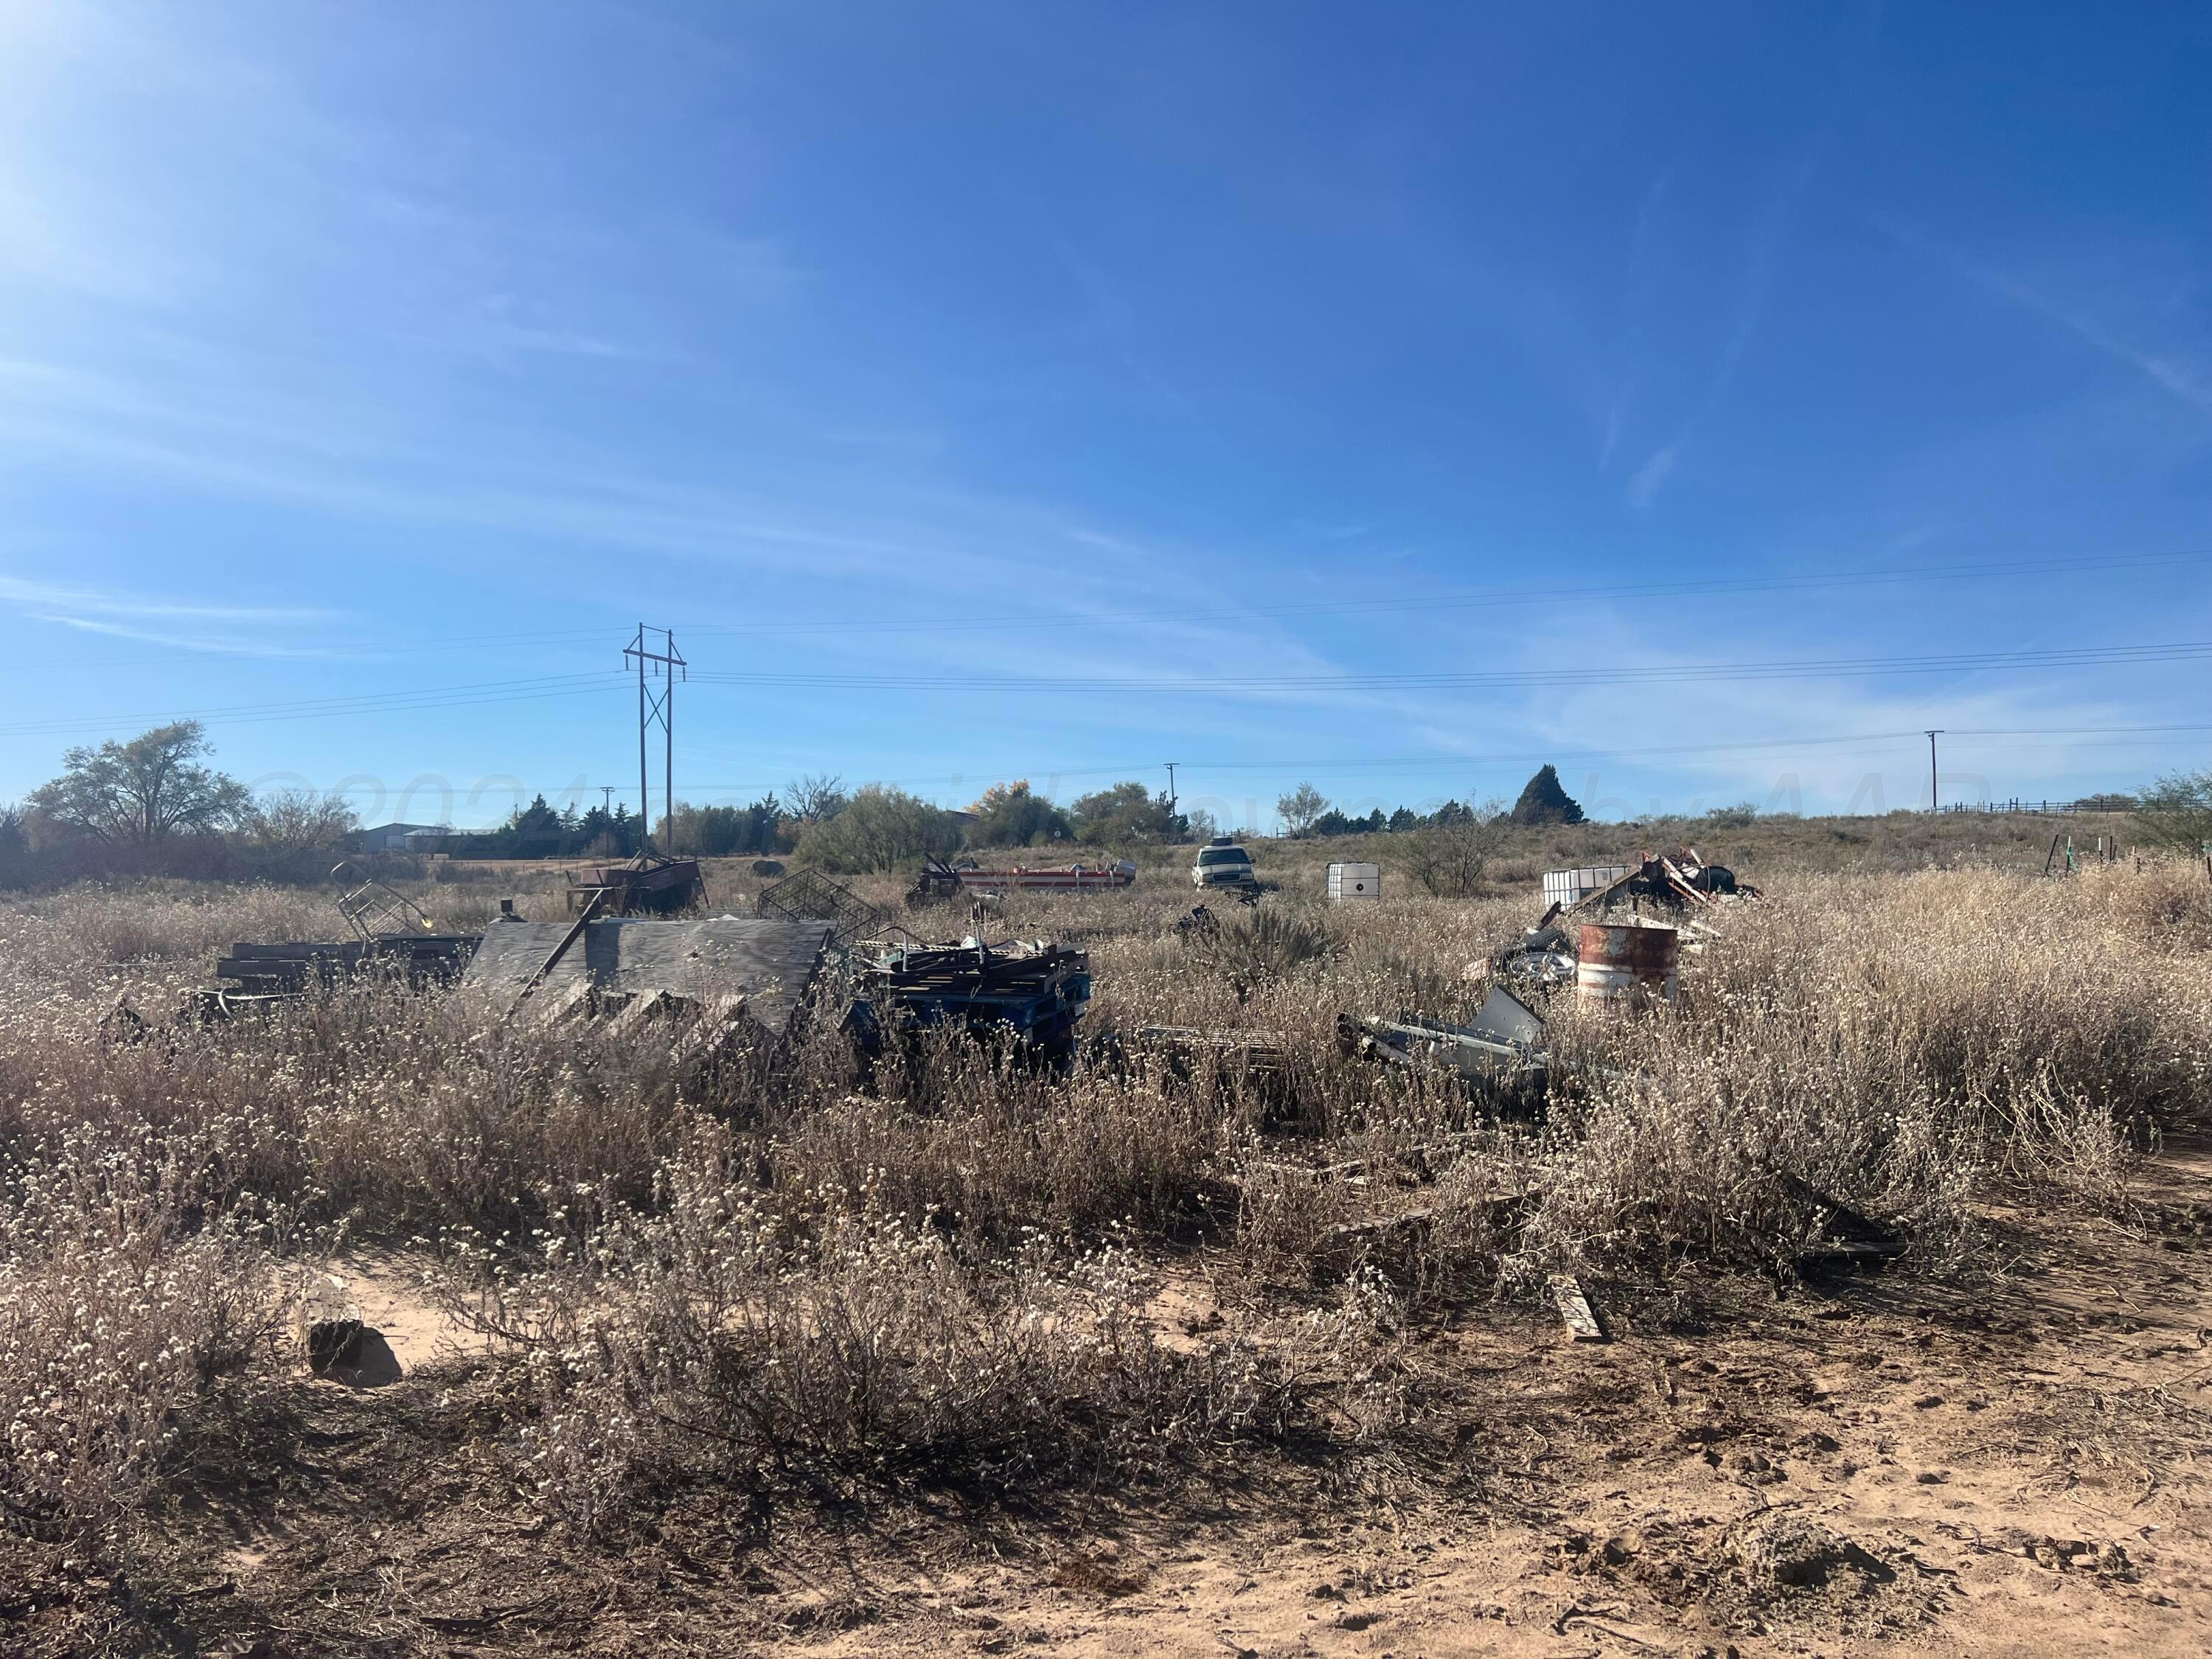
<point>954,1355</point>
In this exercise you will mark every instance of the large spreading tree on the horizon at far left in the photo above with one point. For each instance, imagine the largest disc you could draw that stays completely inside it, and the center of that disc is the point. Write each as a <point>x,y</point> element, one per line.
<point>145,791</point>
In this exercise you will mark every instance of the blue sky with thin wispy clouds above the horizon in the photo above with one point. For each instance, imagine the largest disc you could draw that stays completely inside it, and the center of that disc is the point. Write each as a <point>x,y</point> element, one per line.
<point>1707,399</point>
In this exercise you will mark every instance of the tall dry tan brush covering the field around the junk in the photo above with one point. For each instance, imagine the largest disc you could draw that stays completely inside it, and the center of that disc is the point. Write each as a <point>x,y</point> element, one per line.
<point>943,1269</point>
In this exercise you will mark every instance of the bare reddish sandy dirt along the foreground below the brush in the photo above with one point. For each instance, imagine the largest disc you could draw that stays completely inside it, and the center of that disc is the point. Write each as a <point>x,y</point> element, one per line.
<point>1870,1468</point>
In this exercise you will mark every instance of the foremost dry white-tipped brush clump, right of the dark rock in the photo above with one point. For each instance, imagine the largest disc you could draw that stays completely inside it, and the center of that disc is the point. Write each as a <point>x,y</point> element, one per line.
<point>828,1344</point>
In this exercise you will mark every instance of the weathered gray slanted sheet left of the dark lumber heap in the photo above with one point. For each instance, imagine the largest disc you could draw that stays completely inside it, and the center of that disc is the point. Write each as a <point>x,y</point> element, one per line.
<point>766,961</point>
